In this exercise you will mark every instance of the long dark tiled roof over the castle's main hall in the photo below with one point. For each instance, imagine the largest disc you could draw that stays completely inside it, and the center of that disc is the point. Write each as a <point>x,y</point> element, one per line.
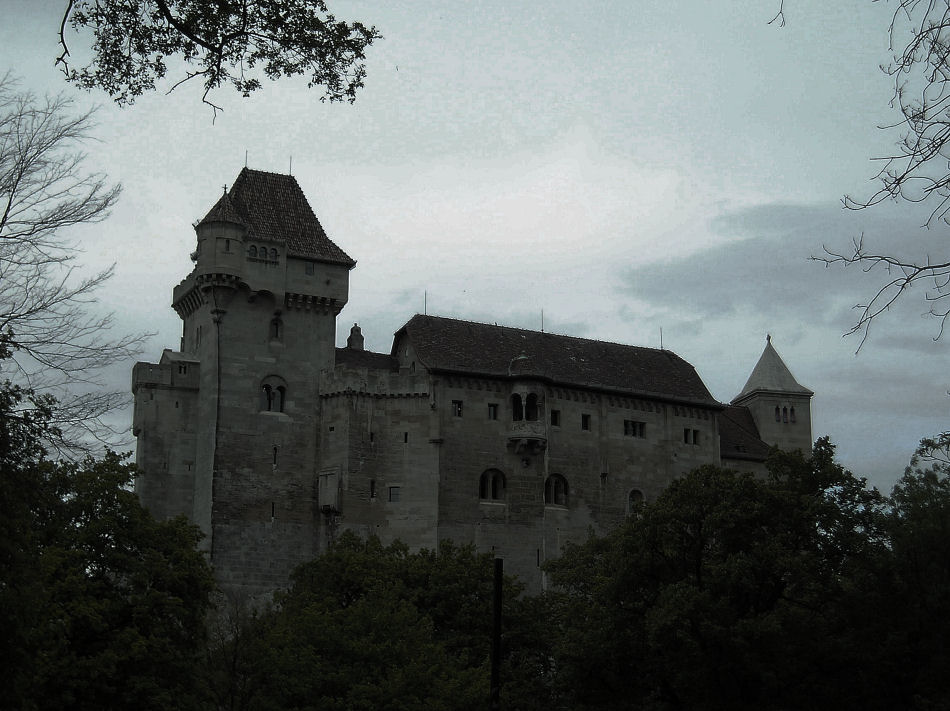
<point>448,345</point>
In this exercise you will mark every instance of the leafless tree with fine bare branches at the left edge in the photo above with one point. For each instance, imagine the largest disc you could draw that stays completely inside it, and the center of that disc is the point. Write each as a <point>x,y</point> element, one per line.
<point>59,344</point>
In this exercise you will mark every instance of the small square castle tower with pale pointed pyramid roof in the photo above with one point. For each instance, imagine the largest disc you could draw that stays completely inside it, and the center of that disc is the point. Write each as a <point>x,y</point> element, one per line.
<point>780,406</point>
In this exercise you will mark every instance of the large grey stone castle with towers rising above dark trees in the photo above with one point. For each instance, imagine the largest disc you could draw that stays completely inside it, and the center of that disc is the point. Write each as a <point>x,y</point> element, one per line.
<point>274,441</point>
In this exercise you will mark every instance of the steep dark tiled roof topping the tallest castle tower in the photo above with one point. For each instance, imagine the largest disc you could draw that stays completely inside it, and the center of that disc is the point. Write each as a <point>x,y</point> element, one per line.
<point>273,207</point>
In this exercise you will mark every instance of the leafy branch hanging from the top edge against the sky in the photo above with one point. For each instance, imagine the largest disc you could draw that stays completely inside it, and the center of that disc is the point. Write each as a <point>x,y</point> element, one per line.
<point>232,42</point>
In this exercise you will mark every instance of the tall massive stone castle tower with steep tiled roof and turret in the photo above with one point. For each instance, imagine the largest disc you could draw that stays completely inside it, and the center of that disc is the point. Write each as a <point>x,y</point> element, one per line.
<point>237,451</point>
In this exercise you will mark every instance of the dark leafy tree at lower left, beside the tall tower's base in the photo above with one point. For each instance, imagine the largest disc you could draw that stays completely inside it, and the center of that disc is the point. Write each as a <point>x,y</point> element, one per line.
<point>102,606</point>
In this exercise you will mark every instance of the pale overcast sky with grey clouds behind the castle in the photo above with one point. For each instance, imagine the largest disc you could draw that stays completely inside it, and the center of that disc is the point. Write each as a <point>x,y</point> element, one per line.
<point>625,167</point>
